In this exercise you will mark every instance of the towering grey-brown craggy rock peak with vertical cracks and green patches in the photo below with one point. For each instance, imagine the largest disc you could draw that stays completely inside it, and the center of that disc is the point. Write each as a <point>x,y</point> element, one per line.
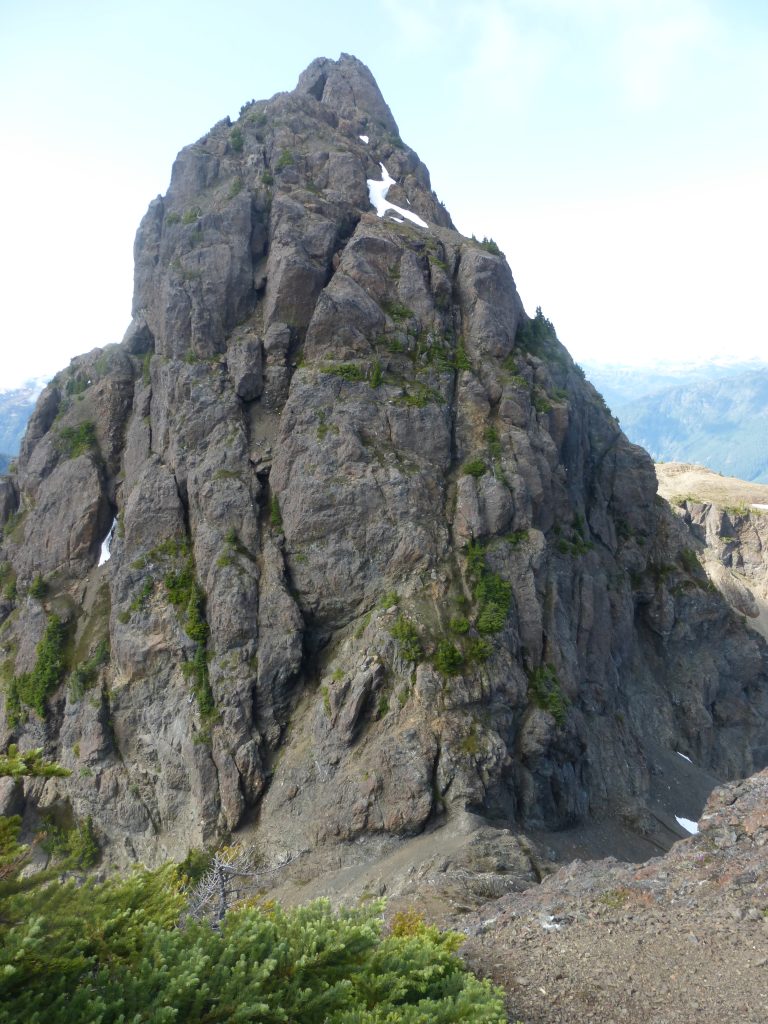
<point>379,552</point>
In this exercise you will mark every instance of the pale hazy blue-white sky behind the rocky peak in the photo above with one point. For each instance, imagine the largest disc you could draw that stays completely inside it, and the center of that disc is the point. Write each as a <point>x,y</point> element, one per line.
<point>616,150</point>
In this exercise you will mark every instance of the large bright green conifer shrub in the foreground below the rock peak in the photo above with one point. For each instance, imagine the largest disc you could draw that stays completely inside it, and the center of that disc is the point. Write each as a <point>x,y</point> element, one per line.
<point>102,954</point>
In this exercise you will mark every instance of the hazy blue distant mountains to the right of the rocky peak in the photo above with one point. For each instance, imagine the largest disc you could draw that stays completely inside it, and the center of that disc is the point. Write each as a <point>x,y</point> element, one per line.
<point>712,415</point>
